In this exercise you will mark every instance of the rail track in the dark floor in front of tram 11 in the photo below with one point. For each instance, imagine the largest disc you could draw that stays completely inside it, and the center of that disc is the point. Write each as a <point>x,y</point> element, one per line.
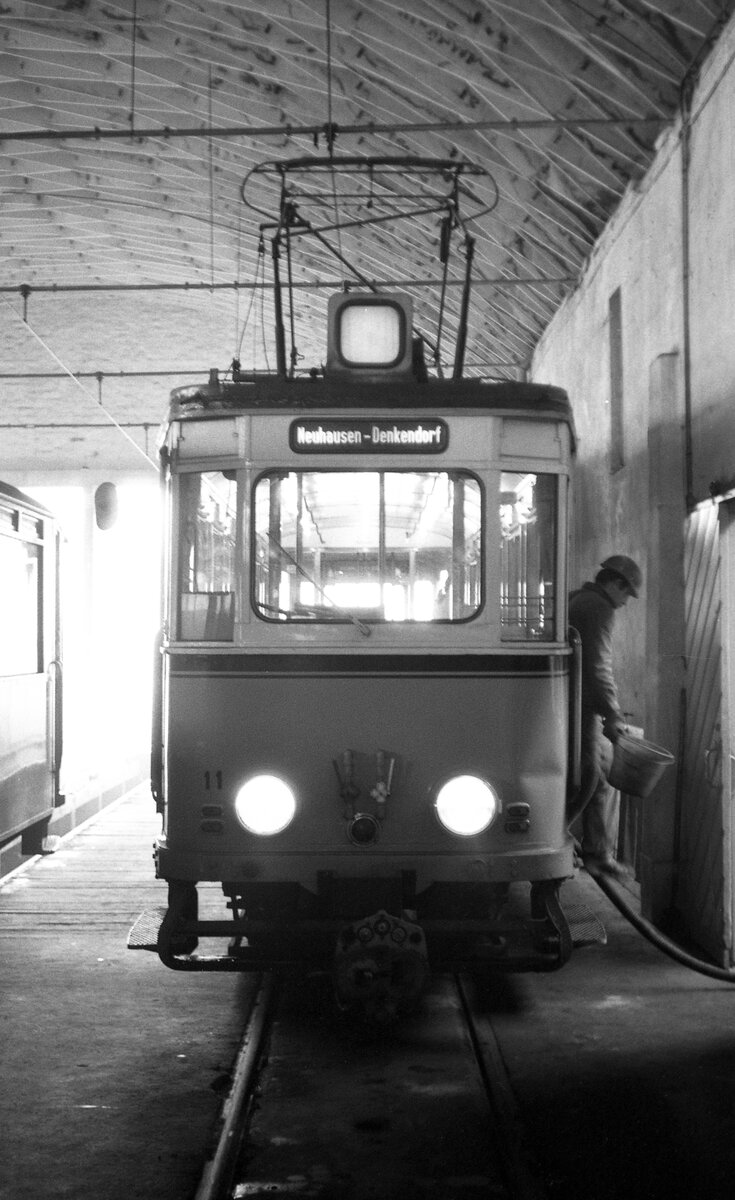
<point>326,1106</point>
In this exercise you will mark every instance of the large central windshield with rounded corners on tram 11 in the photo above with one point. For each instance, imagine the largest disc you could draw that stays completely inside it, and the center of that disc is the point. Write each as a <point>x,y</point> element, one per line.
<point>385,547</point>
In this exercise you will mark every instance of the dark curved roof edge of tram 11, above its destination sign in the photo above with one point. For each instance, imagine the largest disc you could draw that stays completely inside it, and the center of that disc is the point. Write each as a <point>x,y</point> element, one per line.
<point>276,393</point>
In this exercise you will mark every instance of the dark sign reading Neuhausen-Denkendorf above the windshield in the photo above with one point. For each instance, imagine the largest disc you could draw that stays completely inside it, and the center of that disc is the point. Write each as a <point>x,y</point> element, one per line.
<point>379,436</point>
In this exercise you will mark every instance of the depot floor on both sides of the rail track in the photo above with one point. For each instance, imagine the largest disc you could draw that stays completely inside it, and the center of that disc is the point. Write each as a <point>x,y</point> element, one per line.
<point>112,1069</point>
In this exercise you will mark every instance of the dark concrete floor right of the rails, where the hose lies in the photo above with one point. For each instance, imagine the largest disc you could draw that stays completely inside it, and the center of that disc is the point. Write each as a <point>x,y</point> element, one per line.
<point>625,1070</point>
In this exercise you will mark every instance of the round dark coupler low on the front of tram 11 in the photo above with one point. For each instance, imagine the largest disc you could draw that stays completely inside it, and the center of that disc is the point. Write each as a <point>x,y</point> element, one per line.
<point>381,965</point>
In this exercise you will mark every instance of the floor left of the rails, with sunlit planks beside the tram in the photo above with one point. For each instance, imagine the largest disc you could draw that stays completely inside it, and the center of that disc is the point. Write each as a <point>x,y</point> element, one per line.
<point>112,1066</point>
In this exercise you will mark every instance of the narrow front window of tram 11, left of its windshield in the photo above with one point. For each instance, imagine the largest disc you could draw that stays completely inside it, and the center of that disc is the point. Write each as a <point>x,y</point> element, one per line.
<point>207,556</point>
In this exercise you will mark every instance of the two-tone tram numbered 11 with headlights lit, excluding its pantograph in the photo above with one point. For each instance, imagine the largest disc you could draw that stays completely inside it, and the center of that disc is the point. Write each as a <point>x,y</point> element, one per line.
<point>367,688</point>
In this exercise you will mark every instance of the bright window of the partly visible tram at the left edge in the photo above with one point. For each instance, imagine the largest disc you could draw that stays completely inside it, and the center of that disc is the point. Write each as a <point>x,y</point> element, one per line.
<point>21,651</point>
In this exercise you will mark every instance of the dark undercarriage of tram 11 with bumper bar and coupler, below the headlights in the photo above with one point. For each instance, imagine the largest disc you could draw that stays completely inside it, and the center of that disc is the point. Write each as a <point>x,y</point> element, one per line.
<point>377,955</point>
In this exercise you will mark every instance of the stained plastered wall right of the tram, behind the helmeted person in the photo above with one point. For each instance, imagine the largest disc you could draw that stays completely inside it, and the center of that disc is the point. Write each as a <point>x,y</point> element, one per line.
<point>671,251</point>
